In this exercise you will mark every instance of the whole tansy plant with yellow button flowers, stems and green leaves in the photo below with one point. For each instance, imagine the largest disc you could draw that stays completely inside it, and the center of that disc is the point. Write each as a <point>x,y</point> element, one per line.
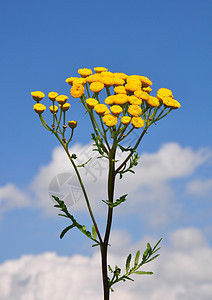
<point>127,107</point>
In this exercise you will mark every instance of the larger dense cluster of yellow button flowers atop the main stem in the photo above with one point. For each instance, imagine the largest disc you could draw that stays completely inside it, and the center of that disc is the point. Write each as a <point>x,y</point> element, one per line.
<point>128,97</point>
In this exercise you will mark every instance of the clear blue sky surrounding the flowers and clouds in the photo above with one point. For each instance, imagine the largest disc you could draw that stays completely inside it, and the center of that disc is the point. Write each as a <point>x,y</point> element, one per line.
<point>43,43</point>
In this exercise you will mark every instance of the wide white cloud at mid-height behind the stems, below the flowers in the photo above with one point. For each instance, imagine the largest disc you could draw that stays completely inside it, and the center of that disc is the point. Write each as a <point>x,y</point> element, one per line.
<point>151,185</point>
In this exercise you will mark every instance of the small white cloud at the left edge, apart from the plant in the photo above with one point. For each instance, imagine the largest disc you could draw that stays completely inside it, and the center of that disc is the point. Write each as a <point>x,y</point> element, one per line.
<point>12,197</point>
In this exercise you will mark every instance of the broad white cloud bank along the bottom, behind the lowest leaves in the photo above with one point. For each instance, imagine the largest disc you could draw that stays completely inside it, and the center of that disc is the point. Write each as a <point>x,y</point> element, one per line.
<point>182,272</point>
